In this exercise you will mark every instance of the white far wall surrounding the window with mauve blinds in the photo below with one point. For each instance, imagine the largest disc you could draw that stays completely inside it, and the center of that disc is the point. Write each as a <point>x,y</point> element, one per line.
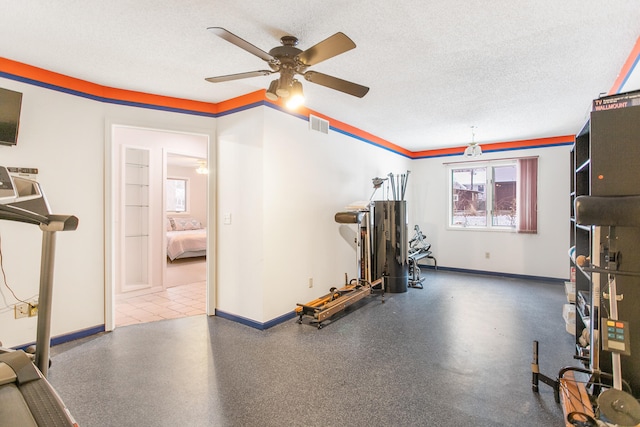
<point>542,255</point>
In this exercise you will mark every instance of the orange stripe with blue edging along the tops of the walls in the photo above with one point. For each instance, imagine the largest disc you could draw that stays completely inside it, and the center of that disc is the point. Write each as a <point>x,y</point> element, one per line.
<point>59,82</point>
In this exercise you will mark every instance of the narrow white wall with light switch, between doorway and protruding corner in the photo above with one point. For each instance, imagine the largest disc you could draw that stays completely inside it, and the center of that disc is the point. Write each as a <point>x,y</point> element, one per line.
<point>240,194</point>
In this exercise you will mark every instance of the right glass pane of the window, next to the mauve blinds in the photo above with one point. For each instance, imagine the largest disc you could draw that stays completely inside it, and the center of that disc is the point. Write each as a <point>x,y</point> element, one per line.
<point>504,196</point>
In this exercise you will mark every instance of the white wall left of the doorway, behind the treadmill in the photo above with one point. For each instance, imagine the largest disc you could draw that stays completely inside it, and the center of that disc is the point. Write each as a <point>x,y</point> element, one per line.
<point>62,136</point>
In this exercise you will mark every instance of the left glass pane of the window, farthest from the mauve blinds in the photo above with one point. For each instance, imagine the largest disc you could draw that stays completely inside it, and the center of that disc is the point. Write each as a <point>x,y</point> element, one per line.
<point>469,197</point>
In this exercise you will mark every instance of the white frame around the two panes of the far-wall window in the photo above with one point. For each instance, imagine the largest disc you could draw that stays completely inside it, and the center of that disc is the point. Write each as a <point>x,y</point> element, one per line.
<point>489,167</point>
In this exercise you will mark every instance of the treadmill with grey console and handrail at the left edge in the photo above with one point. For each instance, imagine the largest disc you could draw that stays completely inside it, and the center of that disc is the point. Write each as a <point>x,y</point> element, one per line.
<point>26,397</point>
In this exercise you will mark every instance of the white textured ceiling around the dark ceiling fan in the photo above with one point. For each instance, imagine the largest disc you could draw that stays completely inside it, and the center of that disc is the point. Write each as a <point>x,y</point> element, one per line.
<point>514,70</point>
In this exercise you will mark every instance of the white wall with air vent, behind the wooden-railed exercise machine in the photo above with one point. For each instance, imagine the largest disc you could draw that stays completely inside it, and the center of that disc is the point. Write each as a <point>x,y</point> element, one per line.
<point>308,177</point>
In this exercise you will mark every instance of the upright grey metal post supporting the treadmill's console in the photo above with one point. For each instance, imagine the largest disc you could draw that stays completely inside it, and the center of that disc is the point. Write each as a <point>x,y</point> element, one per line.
<point>44,301</point>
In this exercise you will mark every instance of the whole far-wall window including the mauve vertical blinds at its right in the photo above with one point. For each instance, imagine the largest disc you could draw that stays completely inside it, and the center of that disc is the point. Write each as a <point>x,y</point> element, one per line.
<point>500,195</point>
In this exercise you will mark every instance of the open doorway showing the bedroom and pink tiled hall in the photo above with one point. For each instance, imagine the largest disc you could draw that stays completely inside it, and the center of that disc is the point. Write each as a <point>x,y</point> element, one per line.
<point>167,285</point>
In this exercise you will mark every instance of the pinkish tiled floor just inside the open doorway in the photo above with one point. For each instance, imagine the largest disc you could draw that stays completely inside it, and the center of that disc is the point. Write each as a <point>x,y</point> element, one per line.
<point>175,302</point>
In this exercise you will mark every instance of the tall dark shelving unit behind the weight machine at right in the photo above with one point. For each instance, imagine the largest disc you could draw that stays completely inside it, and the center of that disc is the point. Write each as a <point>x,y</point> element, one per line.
<point>605,161</point>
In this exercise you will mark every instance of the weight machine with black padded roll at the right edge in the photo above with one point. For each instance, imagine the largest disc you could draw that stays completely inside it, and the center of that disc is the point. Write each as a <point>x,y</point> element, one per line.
<point>604,397</point>
